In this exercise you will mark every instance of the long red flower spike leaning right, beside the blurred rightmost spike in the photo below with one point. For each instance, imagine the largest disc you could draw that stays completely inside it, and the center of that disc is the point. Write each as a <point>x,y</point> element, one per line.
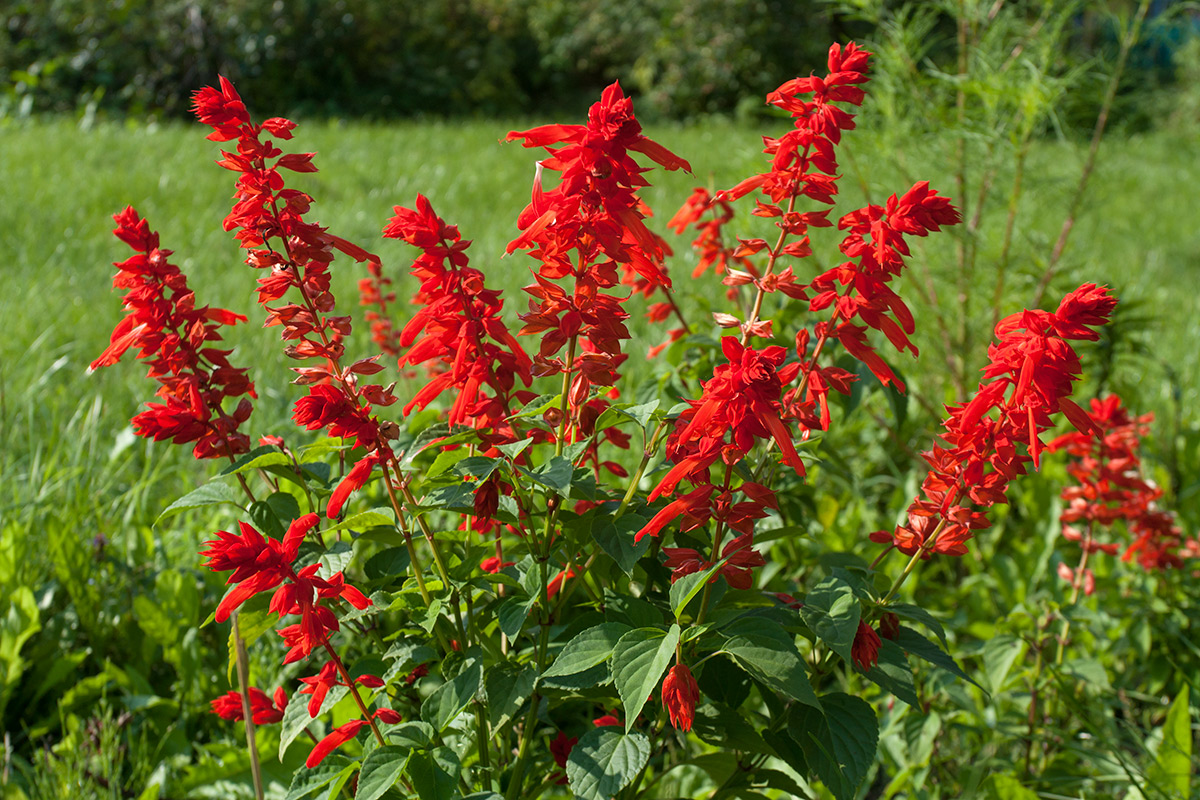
<point>1030,377</point>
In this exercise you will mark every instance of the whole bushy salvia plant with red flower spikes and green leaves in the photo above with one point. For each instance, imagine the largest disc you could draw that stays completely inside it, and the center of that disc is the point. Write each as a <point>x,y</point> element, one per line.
<point>514,582</point>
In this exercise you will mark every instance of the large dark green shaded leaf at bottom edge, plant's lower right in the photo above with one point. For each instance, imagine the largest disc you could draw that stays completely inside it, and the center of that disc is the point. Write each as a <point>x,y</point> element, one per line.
<point>841,744</point>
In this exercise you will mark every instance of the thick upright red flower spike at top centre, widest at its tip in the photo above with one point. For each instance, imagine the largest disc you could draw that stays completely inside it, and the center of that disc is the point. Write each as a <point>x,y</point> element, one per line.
<point>585,228</point>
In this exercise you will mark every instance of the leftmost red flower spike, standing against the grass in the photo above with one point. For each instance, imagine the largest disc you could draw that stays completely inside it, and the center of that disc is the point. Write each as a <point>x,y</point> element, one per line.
<point>172,334</point>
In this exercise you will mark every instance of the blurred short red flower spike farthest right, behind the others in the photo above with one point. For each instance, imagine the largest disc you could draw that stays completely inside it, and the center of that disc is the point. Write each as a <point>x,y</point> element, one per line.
<point>1111,489</point>
